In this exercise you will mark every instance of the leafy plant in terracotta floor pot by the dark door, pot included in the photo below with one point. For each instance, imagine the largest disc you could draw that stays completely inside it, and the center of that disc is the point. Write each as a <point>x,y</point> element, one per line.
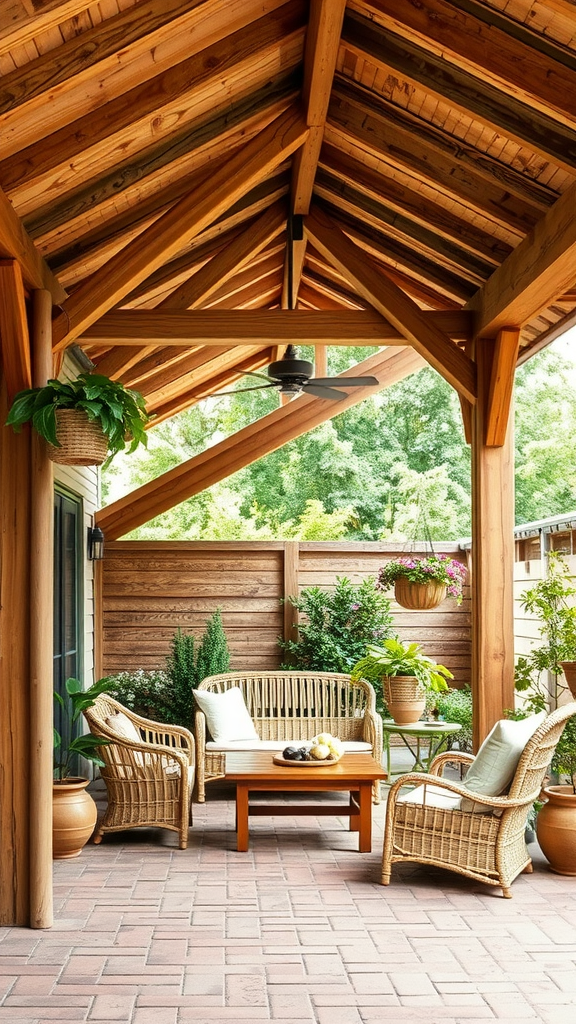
<point>74,812</point>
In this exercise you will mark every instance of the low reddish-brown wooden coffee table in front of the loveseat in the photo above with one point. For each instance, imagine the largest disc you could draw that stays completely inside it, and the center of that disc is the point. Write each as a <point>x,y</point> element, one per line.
<point>256,773</point>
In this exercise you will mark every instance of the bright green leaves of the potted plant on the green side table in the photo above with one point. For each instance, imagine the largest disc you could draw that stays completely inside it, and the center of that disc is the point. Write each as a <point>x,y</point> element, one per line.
<point>395,658</point>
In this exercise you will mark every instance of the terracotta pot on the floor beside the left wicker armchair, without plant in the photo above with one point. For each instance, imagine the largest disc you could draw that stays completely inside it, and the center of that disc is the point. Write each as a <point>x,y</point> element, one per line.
<point>74,818</point>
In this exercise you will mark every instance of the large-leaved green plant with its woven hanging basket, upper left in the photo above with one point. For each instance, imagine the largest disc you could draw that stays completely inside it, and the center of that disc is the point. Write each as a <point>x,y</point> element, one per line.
<point>84,420</point>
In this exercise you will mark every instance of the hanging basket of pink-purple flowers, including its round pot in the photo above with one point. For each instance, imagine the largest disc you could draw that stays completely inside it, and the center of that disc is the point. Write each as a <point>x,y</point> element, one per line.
<point>424,583</point>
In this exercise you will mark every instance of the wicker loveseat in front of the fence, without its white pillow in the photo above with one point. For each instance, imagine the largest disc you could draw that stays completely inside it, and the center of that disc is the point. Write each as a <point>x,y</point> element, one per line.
<point>292,706</point>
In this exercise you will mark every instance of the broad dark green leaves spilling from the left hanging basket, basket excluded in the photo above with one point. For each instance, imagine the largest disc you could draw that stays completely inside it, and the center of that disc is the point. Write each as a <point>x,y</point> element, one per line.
<point>120,413</point>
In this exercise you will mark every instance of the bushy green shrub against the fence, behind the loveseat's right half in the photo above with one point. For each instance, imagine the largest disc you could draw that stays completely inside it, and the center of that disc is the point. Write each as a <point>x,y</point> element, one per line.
<point>339,625</point>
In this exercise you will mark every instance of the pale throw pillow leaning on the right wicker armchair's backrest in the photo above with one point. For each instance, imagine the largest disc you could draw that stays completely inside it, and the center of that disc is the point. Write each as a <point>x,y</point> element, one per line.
<point>497,761</point>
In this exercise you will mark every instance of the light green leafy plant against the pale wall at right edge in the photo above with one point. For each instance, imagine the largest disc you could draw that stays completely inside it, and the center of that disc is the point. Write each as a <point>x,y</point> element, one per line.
<point>539,676</point>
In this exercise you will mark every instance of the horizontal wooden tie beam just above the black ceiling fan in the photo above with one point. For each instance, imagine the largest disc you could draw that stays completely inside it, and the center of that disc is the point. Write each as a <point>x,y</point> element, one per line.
<point>209,327</point>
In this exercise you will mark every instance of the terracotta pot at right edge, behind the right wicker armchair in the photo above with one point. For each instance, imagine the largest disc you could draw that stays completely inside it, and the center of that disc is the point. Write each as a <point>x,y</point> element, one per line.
<point>556,829</point>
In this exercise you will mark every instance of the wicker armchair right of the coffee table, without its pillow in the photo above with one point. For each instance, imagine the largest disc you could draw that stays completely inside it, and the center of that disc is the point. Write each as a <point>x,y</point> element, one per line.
<point>487,847</point>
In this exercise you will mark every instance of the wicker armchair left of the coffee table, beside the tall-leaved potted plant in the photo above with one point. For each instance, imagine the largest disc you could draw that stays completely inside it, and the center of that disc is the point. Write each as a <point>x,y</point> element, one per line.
<point>150,782</point>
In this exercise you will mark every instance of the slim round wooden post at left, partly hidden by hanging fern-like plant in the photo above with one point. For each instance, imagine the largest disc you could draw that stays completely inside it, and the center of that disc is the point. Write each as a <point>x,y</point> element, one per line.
<point>42,641</point>
